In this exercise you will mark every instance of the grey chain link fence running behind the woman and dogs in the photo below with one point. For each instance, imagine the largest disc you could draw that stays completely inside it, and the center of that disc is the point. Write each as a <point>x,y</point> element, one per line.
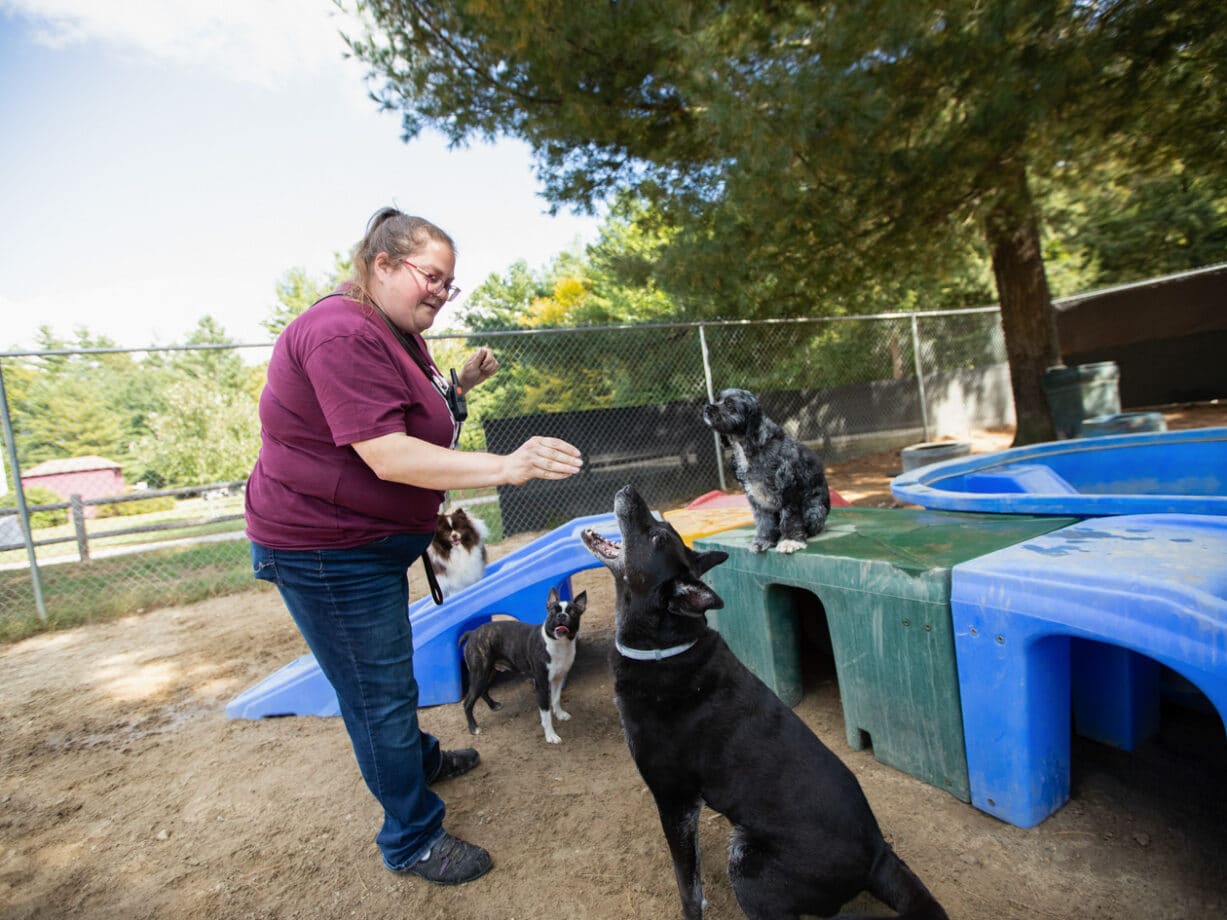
<point>83,535</point>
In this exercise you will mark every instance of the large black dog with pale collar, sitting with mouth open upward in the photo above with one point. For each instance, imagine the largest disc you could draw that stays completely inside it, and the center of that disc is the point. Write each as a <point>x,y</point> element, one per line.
<point>704,729</point>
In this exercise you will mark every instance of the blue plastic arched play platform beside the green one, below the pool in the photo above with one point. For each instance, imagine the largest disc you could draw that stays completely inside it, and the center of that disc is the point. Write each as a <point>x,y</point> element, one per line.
<point>1077,624</point>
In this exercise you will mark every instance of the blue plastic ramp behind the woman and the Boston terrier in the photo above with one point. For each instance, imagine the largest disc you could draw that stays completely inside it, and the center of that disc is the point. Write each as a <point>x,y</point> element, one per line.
<point>516,586</point>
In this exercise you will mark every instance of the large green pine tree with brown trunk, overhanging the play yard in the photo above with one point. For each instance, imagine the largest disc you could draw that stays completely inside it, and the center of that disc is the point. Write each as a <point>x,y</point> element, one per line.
<point>803,153</point>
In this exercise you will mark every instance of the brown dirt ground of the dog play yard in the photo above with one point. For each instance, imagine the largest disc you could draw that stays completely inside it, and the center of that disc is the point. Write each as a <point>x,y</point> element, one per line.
<point>126,792</point>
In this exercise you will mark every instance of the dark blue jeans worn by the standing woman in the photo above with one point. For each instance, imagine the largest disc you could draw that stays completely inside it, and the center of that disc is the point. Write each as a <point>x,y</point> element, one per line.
<point>353,608</point>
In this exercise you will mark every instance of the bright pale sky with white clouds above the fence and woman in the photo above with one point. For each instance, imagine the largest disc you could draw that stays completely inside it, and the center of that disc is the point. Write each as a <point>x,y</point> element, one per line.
<point>164,161</point>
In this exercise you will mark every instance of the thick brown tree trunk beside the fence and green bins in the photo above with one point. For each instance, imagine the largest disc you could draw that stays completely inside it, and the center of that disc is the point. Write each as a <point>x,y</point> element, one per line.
<point>1028,318</point>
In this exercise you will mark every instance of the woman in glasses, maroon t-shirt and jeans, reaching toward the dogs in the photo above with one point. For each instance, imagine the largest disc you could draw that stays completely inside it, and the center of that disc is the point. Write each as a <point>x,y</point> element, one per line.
<point>358,448</point>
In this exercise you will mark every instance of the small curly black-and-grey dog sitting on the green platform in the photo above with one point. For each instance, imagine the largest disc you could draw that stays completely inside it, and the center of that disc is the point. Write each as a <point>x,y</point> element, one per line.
<point>783,479</point>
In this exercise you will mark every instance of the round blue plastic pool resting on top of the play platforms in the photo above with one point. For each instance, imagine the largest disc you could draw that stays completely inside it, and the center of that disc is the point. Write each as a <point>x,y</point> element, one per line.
<point>1153,473</point>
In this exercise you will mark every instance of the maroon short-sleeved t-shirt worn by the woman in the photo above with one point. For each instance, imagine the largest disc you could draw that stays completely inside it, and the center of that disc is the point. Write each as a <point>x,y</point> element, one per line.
<point>338,375</point>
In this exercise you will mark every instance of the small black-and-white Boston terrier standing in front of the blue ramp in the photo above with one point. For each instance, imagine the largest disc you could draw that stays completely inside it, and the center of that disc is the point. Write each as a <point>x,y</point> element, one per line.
<point>544,653</point>
